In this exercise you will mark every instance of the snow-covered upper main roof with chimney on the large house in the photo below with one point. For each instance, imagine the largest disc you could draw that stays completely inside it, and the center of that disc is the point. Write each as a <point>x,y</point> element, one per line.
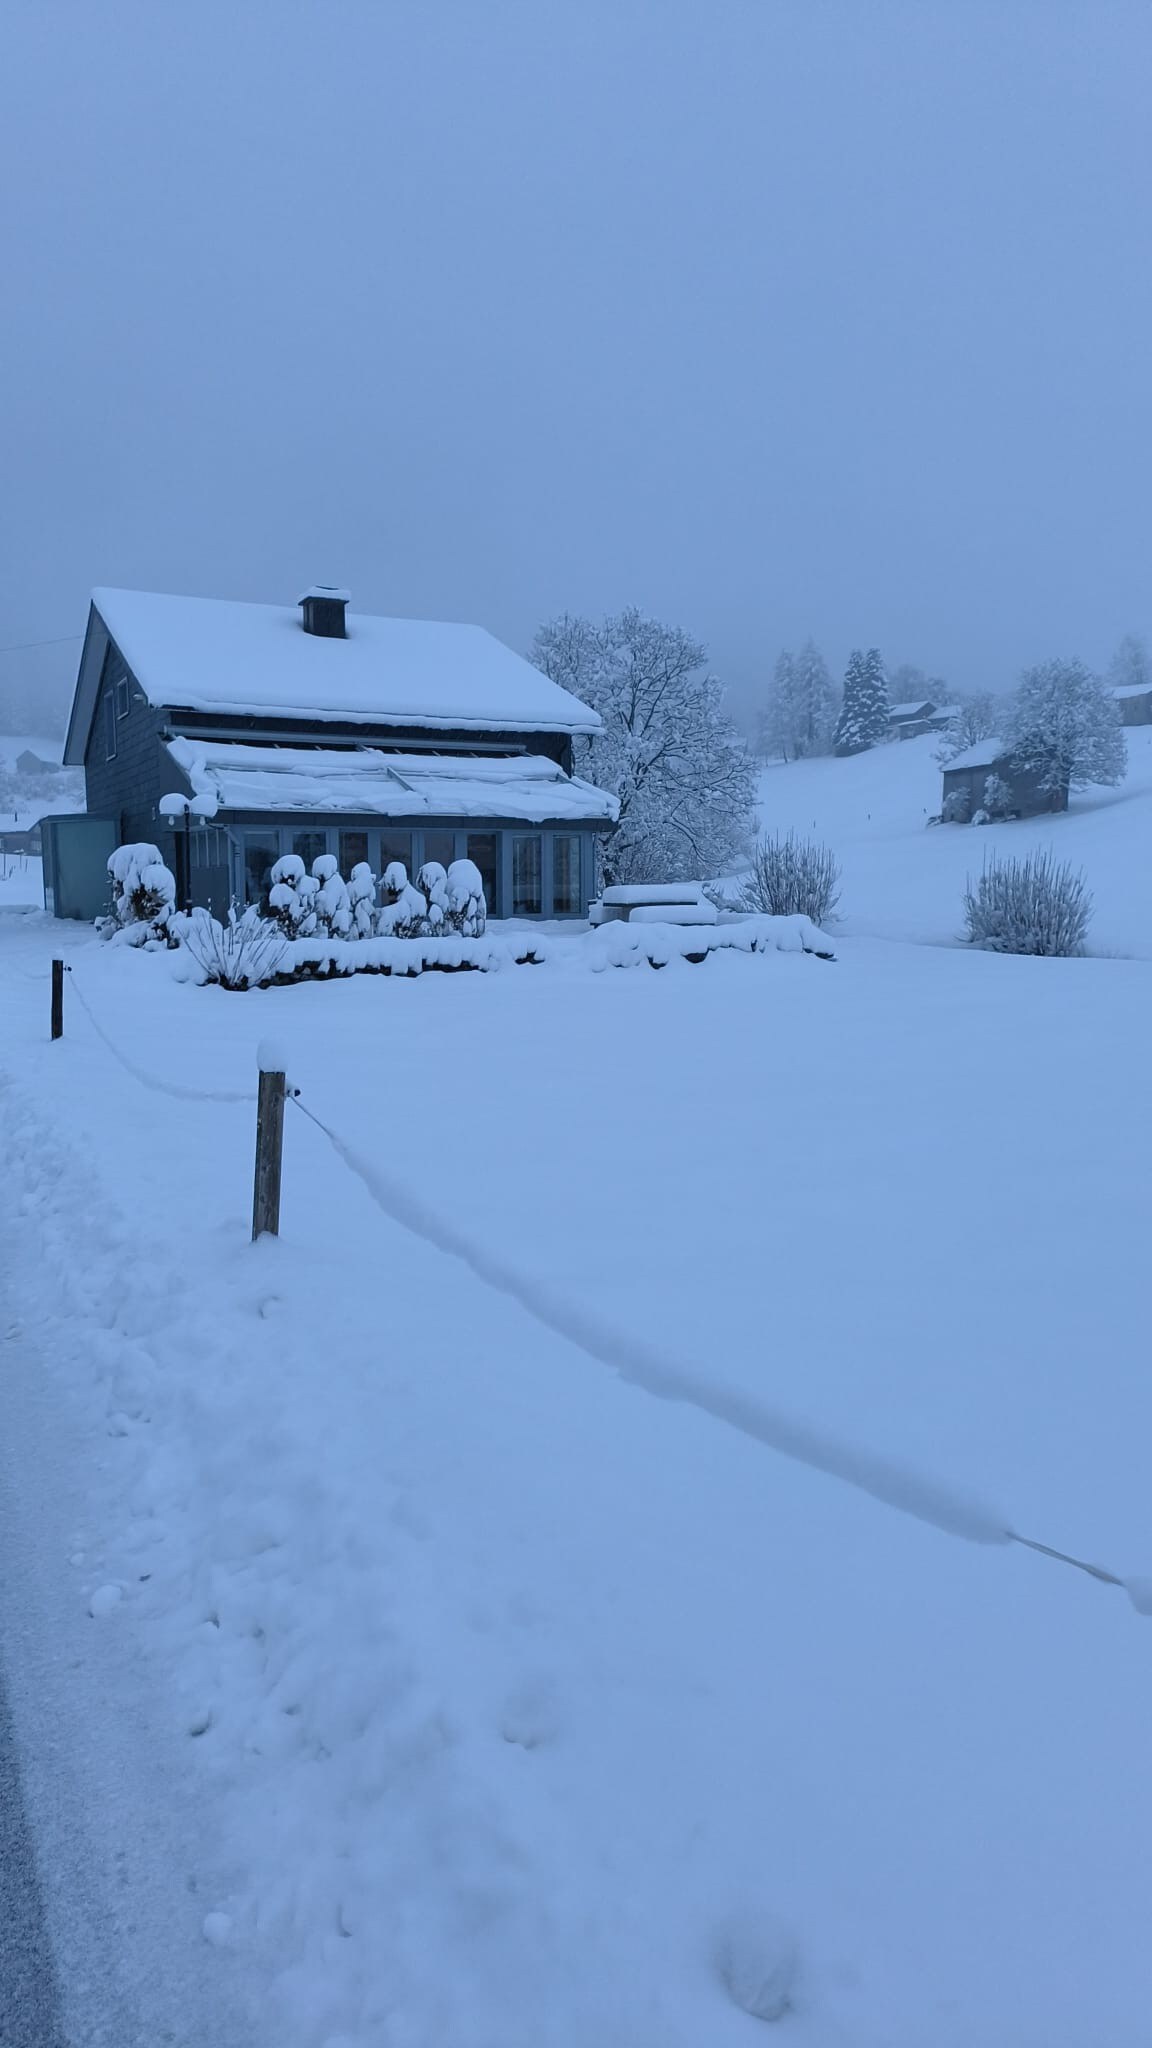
<point>212,654</point>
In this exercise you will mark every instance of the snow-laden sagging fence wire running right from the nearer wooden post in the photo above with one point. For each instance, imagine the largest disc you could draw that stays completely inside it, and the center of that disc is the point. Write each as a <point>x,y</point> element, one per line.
<point>643,1365</point>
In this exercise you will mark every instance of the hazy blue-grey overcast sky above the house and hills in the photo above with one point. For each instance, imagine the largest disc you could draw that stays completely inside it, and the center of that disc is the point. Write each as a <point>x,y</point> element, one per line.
<point>772,316</point>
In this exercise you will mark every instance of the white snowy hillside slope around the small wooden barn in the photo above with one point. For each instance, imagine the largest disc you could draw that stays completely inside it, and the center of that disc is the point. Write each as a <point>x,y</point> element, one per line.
<point>903,880</point>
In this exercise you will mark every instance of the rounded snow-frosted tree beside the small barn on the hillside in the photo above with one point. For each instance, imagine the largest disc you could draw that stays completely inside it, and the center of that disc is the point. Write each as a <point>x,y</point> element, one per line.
<point>1065,728</point>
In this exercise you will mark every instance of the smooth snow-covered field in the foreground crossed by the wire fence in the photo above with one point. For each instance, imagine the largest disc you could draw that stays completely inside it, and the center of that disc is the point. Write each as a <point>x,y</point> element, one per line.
<point>501,1705</point>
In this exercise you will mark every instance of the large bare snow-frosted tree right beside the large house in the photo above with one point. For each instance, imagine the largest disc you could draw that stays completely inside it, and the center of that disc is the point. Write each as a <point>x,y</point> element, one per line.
<point>684,775</point>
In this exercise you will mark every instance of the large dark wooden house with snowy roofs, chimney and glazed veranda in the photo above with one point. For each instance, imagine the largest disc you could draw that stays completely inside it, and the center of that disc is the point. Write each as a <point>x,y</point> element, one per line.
<point>317,730</point>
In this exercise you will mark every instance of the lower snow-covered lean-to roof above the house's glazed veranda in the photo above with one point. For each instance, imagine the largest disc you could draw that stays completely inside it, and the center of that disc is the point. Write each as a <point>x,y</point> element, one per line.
<point>388,785</point>
